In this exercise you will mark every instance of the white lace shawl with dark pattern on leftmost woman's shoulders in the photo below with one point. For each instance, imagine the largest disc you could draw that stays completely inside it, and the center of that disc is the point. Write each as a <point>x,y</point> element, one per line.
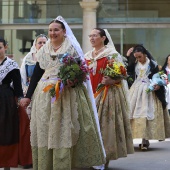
<point>6,67</point>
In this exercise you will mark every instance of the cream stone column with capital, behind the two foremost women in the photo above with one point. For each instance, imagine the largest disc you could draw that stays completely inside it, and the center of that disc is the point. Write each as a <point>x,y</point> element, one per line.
<point>89,21</point>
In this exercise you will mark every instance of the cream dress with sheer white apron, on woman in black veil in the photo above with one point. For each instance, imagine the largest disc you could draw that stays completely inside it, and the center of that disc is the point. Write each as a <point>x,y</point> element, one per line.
<point>148,120</point>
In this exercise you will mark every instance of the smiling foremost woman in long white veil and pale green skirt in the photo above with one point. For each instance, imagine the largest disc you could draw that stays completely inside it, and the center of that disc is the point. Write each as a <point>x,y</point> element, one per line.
<point>67,130</point>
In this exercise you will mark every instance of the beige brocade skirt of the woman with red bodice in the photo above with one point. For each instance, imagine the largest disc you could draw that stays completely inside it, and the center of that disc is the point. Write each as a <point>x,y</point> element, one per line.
<point>115,124</point>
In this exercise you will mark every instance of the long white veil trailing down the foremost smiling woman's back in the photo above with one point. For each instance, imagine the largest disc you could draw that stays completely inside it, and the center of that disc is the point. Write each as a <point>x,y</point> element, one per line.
<point>76,45</point>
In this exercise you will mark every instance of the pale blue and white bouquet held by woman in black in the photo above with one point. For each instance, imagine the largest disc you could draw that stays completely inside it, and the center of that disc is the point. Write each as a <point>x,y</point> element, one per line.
<point>159,78</point>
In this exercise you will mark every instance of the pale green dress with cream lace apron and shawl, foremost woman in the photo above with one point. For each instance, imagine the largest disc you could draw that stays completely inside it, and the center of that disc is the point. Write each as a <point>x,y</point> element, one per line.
<point>64,134</point>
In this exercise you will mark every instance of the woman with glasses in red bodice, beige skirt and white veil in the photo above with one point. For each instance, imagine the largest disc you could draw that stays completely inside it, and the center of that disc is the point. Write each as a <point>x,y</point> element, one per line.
<point>112,103</point>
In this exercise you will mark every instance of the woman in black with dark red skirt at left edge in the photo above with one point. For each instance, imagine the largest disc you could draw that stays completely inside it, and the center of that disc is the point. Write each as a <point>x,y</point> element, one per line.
<point>10,120</point>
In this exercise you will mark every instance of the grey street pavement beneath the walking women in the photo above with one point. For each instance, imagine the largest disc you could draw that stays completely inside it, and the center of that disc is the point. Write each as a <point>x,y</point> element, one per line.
<point>156,158</point>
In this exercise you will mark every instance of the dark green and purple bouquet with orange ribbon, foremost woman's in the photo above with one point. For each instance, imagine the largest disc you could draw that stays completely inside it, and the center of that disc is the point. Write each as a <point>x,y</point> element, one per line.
<point>72,69</point>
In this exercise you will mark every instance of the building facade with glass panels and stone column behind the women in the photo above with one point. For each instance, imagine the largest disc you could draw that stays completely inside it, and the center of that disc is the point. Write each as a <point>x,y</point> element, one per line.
<point>129,22</point>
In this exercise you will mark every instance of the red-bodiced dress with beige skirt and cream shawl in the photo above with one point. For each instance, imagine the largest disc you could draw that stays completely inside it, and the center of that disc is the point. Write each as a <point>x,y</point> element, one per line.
<point>113,112</point>
